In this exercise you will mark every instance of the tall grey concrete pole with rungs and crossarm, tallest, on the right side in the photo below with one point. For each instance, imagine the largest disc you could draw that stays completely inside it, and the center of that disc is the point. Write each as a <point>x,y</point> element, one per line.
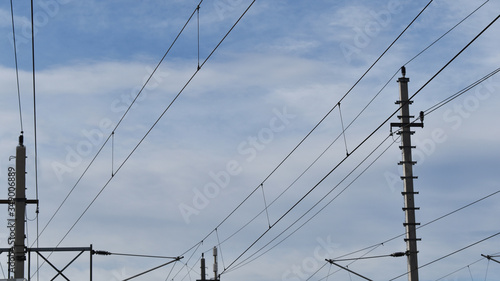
<point>408,192</point>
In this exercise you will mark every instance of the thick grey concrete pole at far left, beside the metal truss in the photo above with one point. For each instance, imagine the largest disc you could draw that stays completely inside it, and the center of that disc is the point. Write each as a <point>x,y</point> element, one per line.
<point>19,253</point>
